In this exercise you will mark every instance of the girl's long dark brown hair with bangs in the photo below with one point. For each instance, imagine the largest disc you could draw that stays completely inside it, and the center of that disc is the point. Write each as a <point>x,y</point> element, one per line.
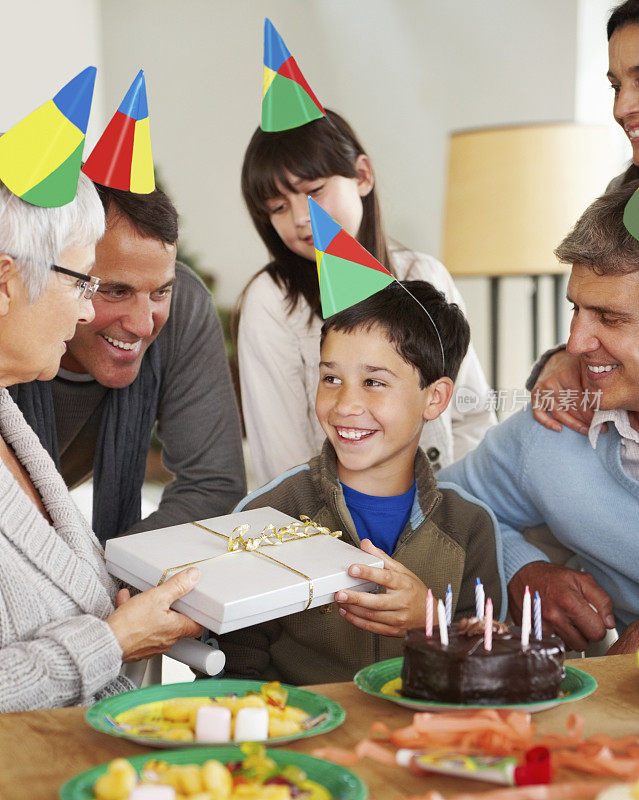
<point>319,149</point>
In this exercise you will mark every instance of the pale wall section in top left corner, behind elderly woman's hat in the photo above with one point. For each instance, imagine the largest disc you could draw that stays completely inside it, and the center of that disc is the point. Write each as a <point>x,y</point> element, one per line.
<point>44,45</point>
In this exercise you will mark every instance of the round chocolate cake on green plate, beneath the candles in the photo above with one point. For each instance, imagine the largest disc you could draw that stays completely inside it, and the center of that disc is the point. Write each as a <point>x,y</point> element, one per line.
<point>463,672</point>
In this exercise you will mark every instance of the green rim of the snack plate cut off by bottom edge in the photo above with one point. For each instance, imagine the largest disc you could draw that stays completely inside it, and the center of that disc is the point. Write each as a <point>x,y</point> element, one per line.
<point>340,782</point>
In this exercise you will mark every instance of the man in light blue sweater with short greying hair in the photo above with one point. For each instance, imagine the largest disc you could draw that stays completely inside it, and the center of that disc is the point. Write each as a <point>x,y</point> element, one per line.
<point>585,488</point>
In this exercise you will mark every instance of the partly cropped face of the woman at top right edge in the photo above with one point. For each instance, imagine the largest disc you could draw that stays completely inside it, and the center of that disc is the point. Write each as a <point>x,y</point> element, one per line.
<point>623,74</point>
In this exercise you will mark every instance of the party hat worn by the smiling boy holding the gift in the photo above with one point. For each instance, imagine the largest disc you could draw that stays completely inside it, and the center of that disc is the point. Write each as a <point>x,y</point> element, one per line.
<point>347,272</point>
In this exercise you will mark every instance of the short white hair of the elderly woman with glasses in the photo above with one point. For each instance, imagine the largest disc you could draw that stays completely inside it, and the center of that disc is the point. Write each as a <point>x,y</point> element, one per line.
<point>35,237</point>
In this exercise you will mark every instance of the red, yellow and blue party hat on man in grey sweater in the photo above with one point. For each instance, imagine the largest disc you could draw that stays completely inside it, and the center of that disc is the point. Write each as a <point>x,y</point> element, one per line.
<point>122,157</point>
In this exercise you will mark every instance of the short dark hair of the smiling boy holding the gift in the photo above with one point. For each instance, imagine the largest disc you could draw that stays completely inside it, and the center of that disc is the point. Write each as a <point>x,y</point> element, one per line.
<point>409,329</point>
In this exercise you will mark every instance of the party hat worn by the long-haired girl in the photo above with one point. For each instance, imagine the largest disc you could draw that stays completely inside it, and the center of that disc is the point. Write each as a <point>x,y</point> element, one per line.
<point>287,100</point>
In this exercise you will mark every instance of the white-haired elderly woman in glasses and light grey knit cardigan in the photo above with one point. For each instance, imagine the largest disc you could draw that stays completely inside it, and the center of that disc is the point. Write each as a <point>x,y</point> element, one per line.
<point>62,638</point>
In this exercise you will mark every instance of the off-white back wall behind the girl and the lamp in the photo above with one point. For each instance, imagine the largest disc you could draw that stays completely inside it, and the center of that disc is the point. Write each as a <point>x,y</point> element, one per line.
<point>404,72</point>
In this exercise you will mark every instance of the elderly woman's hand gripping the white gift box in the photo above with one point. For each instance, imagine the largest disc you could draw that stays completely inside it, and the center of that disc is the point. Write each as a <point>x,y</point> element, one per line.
<point>145,625</point>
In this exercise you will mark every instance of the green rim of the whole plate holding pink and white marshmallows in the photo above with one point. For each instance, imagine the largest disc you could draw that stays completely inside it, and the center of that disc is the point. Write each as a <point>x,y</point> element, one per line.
<point>314,704</point>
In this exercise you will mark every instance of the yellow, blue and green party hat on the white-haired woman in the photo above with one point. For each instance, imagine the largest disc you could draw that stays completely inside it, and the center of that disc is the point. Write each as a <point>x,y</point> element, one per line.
<point>41,156</point>
